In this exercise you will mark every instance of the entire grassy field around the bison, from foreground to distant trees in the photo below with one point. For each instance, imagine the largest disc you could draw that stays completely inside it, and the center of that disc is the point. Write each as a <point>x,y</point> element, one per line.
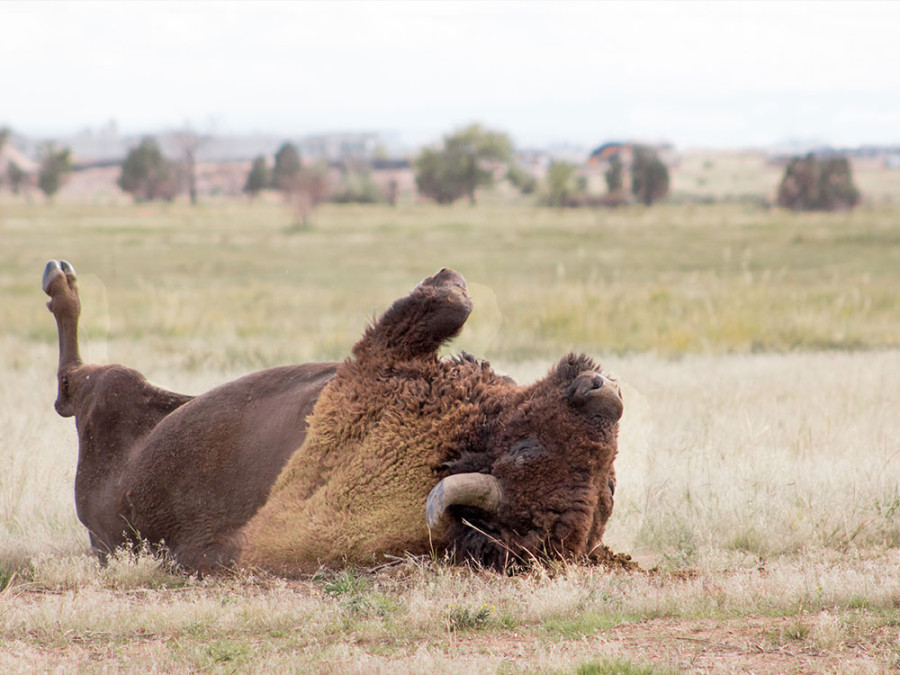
<point>759,467</point>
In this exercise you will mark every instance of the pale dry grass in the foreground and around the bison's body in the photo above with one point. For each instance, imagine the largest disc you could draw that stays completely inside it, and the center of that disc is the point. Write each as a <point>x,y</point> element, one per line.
<point>769,478</point>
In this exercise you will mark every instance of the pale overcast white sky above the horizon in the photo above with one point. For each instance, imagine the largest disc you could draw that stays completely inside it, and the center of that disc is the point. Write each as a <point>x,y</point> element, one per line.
<point>696,74</point>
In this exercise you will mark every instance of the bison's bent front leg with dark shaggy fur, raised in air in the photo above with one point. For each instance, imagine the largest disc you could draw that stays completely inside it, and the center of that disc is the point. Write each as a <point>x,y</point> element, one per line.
<point>420,323</point>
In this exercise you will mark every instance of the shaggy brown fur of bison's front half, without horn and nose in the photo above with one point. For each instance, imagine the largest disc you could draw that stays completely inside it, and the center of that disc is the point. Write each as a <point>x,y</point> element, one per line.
<point>396,419</point>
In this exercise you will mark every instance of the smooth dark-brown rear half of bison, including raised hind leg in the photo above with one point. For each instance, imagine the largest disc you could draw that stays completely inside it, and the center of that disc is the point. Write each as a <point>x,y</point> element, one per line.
<point>170,468</point>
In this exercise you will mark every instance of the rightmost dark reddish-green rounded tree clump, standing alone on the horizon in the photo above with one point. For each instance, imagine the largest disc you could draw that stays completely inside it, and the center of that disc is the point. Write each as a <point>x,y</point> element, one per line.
<point>818,184</point>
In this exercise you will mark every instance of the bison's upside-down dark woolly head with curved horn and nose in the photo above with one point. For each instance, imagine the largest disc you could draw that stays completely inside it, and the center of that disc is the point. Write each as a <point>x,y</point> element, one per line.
<point>542,487</point>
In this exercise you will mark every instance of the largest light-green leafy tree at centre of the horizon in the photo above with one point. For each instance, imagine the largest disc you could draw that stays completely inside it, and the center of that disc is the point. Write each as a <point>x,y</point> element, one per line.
<point>464,164</point>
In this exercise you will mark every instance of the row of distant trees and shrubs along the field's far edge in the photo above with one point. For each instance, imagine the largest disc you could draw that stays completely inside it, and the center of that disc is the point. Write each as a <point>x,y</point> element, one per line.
<point>467,161</point>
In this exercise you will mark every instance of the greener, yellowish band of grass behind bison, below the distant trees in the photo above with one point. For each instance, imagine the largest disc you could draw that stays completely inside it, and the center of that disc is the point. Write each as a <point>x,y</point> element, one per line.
<point>671,279</point>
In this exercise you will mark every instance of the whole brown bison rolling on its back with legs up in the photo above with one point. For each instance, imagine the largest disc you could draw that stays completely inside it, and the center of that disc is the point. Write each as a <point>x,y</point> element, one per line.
<point>393,450</point>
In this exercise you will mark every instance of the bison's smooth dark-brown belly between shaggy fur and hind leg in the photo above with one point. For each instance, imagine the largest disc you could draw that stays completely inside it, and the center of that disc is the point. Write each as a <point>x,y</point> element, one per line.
<point>209,466</point>
